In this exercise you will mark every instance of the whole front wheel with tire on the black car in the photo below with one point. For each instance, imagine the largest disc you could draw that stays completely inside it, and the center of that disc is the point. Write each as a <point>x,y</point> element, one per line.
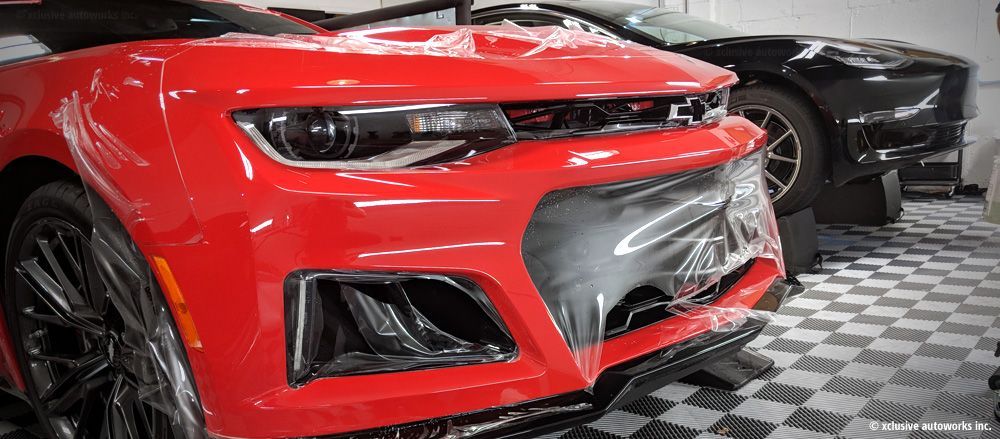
<point>805,143</point>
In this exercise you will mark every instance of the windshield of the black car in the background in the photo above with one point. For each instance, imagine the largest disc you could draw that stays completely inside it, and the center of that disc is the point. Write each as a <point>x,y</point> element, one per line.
<point>674,27</point>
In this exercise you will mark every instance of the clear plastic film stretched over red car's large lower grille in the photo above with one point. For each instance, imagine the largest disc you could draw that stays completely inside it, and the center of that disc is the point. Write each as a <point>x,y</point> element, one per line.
<point>650,249</point>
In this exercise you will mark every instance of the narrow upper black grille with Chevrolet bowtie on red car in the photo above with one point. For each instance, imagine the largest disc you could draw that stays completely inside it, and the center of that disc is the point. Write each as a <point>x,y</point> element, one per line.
<point>547,120</point>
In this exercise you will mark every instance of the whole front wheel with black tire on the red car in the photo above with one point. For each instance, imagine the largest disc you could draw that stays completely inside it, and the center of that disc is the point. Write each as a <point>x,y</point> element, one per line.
<point>73,344</point>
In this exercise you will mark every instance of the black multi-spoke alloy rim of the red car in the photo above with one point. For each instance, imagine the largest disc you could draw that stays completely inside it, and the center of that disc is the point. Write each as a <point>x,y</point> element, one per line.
<point>85,365</point>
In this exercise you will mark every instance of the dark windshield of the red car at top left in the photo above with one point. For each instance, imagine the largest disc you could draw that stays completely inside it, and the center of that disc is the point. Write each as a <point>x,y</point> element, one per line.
<point>54,26</point>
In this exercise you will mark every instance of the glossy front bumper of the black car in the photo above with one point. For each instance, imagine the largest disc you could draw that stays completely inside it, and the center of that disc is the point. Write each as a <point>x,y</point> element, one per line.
<point>890,119</point>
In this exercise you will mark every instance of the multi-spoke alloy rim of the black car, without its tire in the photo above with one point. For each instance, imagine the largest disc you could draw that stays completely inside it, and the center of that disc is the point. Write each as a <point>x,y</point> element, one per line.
<point>783,161</point>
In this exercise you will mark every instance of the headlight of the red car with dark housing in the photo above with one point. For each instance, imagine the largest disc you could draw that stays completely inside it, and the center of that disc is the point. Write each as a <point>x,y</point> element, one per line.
<point>375,137</point>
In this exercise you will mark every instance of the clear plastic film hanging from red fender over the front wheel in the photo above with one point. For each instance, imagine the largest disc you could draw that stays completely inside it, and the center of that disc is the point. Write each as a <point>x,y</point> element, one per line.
<point>145,354</point>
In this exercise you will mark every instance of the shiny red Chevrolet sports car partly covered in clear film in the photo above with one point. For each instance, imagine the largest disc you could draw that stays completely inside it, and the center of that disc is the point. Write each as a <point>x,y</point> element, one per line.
<point>219,221</point>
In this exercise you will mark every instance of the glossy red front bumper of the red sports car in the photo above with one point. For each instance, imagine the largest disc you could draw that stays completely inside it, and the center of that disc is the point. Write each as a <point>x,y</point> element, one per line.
<point>261,221</point>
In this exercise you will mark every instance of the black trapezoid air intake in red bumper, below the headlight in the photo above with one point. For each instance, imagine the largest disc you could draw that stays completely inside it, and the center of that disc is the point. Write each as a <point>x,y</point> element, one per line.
<point>350,323</point>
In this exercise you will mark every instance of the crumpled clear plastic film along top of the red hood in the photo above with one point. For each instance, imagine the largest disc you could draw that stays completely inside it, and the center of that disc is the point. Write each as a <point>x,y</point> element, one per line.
<point>460,43</point>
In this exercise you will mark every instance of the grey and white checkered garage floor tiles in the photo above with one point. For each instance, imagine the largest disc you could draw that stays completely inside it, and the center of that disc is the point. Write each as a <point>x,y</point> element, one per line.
<point>900,326</point>
